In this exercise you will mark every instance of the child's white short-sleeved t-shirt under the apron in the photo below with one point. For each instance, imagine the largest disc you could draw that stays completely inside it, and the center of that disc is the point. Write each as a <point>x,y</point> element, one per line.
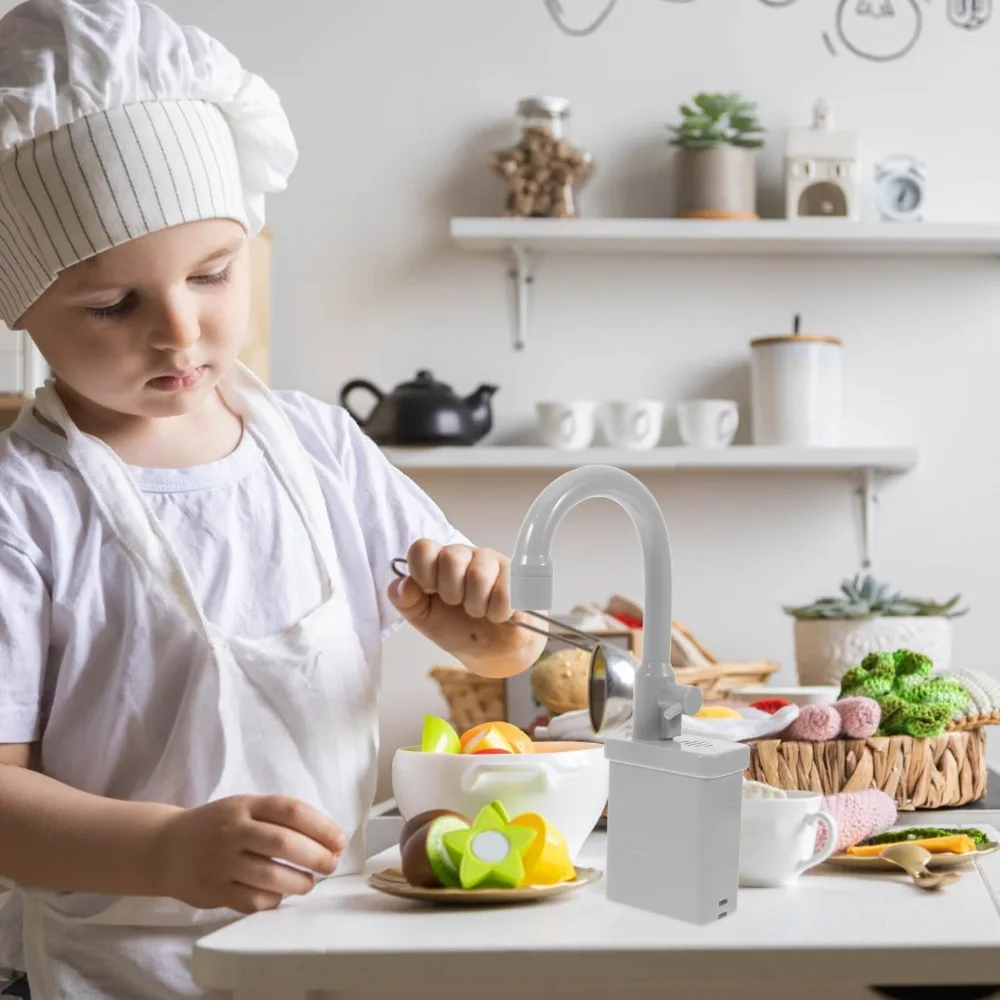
<point>74,652</point>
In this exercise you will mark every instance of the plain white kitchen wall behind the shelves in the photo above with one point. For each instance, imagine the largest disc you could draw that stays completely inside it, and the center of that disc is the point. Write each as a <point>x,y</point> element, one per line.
<point>396,105</point>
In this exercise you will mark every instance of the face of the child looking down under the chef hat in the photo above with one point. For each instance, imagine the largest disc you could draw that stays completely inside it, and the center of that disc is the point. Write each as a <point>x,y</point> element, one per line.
<point>147,329</point>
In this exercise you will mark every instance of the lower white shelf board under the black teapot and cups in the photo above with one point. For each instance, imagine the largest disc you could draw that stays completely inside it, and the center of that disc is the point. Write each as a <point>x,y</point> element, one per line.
<point>883,460</point>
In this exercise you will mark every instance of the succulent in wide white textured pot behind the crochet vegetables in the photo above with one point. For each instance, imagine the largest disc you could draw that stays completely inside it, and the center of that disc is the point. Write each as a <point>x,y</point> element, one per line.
<point>834,634</point>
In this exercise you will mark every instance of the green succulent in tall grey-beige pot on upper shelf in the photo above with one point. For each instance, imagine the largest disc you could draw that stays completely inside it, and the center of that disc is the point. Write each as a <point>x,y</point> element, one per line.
<point>717,141</point>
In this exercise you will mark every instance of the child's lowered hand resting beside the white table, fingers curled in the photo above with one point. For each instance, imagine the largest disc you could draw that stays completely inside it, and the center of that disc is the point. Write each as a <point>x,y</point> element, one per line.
<point>229,853</point>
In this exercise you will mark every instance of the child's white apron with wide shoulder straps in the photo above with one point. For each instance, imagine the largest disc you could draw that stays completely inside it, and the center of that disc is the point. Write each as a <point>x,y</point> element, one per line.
<point>293,713</point>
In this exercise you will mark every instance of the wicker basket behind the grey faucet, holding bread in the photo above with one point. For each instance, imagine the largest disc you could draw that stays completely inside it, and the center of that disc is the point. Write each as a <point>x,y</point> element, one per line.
<point>472,699</point>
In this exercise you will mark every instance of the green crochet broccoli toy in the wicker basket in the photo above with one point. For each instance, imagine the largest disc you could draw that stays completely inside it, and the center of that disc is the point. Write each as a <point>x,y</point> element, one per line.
<point>913,702</point>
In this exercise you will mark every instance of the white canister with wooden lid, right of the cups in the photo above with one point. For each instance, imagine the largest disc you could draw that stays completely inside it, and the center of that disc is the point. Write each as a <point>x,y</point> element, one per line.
<point>796,389</point>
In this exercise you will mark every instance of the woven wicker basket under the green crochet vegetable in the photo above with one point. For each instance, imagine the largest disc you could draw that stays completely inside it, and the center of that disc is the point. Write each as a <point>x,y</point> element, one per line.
<point>946,771</point>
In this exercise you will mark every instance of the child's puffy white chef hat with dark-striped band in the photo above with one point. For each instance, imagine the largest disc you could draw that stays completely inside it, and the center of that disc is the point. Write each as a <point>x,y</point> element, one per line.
<point>116,122</point>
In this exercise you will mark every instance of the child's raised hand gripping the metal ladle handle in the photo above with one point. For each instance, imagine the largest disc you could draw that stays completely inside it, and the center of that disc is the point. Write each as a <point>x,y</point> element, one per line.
<point>459,598</point>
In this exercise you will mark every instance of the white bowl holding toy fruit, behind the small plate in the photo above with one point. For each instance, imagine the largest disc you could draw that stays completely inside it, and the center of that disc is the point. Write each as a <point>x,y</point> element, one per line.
<point>567,783</point>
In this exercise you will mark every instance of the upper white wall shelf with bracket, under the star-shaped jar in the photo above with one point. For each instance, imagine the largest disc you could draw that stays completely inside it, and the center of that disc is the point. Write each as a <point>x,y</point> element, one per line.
<point>523,240</point>
